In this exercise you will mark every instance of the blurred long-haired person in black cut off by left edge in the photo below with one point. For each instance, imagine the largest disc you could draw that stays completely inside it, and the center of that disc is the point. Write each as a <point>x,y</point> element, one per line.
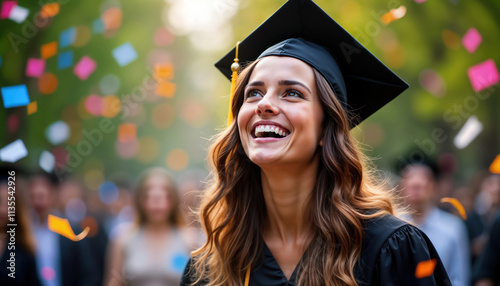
<point>24,244</point>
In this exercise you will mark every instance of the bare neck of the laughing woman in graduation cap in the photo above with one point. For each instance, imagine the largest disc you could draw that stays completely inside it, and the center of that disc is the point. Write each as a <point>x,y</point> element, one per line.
<point>286,192</point>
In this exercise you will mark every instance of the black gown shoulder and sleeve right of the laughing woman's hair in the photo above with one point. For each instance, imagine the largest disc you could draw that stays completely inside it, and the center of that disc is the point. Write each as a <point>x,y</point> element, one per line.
<point>392,249</point>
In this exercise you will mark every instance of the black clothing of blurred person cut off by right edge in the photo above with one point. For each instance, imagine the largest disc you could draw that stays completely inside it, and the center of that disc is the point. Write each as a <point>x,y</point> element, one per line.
<point>487,268</point>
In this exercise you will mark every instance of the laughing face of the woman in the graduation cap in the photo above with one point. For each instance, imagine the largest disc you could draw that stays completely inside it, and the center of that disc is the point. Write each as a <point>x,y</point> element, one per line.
<point>280,118</point>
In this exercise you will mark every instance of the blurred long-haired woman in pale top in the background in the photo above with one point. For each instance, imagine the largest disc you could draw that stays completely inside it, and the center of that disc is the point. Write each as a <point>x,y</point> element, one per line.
<point>157,249</point>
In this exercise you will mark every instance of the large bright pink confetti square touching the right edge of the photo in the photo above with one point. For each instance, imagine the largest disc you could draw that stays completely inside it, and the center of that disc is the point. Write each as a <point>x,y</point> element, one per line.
<point>483,75</point>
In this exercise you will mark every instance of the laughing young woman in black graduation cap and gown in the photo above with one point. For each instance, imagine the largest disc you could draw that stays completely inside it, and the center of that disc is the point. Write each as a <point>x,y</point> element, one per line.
<point>293,201</point>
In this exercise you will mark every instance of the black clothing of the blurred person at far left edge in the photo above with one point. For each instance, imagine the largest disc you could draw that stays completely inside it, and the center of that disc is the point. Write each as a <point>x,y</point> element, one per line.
<point>25,268</point>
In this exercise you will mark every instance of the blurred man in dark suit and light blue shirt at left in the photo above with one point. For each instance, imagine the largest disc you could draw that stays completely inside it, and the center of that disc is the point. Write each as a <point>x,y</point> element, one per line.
<point>60,261</point>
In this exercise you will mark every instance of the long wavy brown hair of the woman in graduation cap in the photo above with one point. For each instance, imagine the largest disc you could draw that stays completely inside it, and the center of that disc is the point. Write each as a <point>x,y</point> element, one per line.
<point>232,210</point>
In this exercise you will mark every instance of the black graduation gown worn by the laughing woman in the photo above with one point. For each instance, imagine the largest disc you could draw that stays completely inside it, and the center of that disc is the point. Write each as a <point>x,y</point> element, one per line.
<point>391,251</point>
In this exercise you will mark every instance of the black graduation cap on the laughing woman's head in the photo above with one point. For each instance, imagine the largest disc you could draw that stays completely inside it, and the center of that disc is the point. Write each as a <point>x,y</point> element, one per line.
<point>302,30</point>
